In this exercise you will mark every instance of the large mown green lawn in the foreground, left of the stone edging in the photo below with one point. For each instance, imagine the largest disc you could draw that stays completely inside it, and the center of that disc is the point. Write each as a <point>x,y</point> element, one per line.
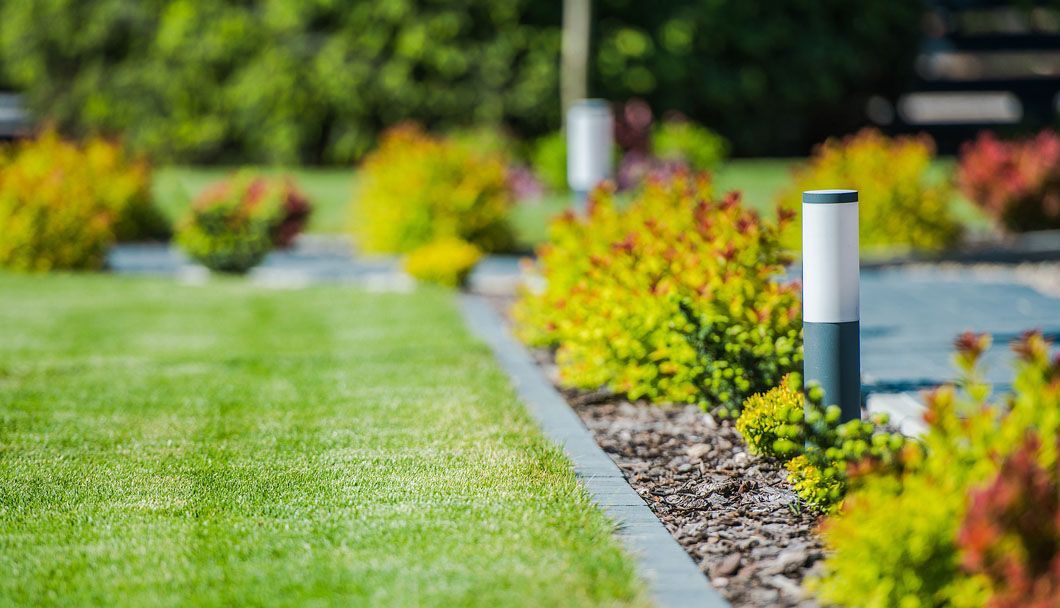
<point>219,445</point>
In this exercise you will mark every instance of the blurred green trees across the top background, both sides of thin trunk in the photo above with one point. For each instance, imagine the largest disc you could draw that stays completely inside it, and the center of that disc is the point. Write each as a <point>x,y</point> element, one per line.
<point>315,81</point>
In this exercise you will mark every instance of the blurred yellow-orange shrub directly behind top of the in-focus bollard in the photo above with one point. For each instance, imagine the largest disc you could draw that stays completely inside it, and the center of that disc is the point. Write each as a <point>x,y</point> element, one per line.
<point>902,207</point>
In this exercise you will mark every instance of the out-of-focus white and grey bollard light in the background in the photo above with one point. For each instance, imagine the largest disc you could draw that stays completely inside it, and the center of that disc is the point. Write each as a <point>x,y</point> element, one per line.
<point>590,144</point>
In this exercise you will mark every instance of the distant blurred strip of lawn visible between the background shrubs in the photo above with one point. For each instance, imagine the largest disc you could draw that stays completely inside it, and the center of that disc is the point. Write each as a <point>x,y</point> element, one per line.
<point>331,190</point>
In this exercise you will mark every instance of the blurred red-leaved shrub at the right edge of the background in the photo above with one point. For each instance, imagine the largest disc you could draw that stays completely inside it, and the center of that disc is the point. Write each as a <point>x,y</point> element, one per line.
<point>1017,184</point>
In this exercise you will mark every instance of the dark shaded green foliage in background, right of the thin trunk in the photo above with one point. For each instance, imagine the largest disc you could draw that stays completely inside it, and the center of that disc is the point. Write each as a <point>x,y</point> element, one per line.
<point>773,77</point>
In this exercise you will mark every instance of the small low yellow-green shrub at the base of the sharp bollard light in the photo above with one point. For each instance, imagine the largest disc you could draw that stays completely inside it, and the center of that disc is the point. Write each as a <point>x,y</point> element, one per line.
<point>820,453</point>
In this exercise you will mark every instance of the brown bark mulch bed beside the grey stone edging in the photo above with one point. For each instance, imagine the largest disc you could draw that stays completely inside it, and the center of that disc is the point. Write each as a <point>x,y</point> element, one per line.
<point>735,514</point>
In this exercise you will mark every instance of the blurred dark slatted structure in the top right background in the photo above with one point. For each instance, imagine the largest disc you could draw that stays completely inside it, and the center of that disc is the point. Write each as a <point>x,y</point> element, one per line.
<point>983,65</point>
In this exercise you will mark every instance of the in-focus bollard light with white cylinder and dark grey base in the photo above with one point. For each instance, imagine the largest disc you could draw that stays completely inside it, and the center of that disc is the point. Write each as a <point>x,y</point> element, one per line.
<point>832,318</point>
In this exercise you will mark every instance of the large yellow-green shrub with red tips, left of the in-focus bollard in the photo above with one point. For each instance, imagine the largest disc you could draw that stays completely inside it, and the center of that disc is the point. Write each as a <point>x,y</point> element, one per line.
<point>674,299</point>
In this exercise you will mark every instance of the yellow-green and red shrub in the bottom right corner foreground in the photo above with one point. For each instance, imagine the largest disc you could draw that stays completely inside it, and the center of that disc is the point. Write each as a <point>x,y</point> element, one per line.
<point>898,540</point>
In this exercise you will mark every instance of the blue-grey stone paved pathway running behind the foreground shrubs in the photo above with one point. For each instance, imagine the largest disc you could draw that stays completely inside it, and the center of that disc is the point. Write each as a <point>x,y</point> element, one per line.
<point>910,315</point>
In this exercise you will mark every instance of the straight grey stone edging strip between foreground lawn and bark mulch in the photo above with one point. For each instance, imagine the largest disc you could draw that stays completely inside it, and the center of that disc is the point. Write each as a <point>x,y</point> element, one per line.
<point>673,578</point>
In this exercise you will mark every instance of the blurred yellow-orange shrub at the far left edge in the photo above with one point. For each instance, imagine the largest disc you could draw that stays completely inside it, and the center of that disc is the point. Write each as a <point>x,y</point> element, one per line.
<point>64,204</point>
